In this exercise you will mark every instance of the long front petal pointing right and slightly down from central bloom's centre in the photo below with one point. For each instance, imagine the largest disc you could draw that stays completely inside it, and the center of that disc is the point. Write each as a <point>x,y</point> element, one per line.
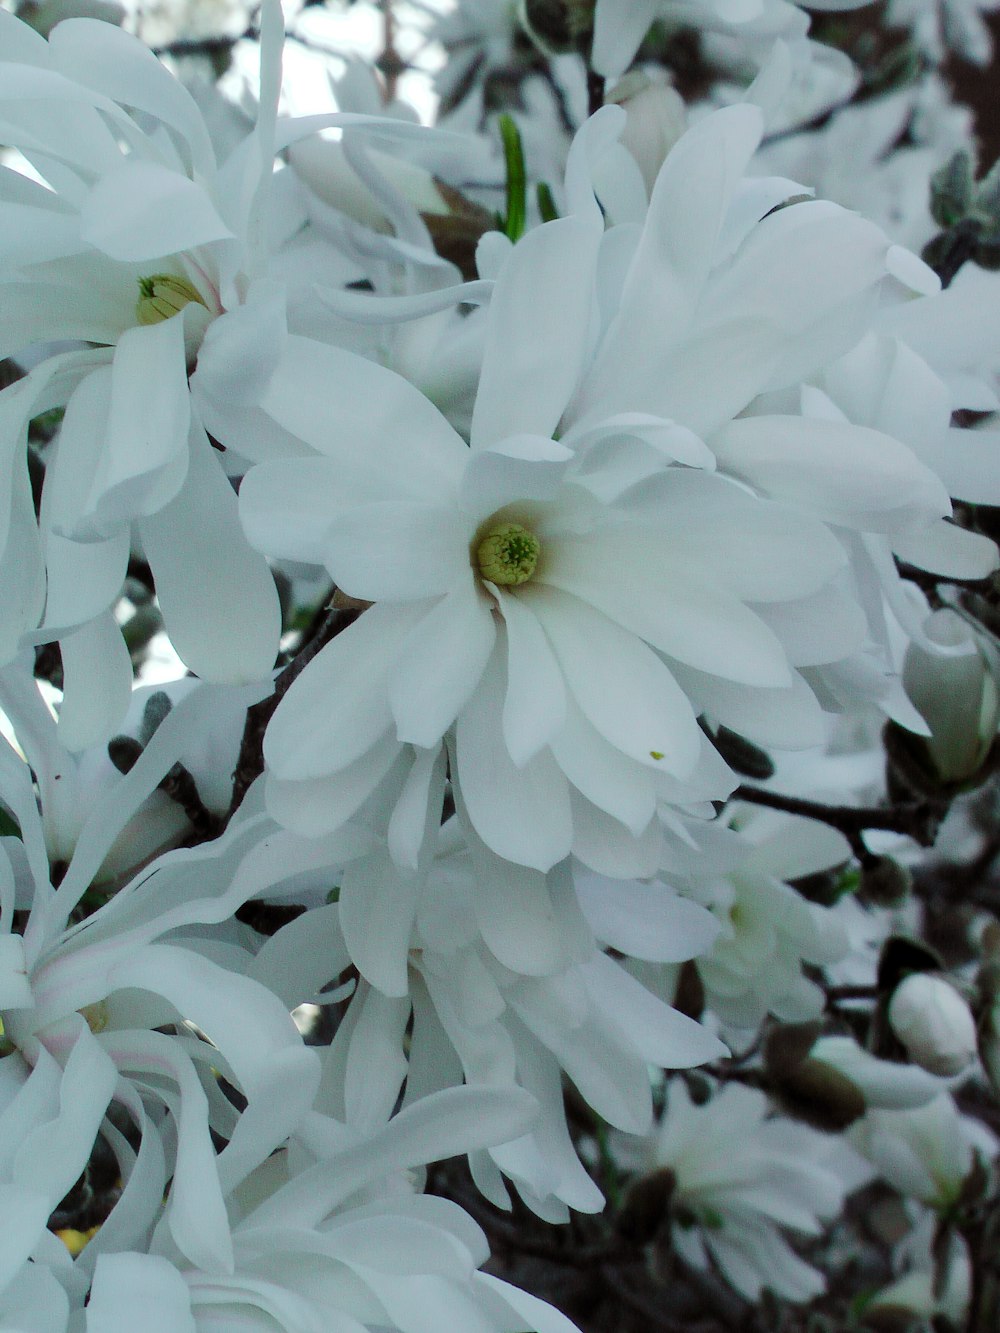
<point>627,575</point>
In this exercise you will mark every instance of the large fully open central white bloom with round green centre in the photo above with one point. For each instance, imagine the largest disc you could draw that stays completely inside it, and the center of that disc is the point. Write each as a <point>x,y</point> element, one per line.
<point>562,609</point>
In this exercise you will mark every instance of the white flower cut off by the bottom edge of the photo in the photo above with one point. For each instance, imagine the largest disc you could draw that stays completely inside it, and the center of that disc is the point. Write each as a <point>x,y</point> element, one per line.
<point>342,1244</point>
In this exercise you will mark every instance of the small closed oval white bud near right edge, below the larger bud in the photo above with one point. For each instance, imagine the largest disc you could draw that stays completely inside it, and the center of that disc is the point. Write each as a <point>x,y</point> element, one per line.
<point>934,1023</point>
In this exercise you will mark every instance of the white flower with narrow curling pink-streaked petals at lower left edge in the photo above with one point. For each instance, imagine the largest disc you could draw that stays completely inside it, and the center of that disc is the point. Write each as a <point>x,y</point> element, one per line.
<point>85,1004</point>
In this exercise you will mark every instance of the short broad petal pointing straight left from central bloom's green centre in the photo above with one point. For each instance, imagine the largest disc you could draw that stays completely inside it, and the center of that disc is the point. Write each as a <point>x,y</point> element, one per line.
<point>397,551</point>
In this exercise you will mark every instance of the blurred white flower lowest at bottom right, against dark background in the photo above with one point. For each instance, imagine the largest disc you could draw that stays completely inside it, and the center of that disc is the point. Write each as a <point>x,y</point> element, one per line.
<point>739,1179</point>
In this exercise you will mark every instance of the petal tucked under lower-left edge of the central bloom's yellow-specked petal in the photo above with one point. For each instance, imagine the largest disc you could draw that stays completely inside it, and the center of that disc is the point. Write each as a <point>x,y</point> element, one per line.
<point>607,778</point>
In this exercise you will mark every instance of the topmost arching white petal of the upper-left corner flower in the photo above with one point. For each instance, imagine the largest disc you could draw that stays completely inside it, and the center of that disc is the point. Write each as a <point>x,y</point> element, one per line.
<point>118,66</point>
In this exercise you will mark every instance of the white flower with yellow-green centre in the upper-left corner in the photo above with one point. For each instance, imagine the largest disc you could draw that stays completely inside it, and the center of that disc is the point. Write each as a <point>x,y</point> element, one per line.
<point>139,243</point>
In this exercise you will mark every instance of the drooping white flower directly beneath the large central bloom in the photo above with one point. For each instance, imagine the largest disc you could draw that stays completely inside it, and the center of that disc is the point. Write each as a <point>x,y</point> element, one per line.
<point>509,982</point>
